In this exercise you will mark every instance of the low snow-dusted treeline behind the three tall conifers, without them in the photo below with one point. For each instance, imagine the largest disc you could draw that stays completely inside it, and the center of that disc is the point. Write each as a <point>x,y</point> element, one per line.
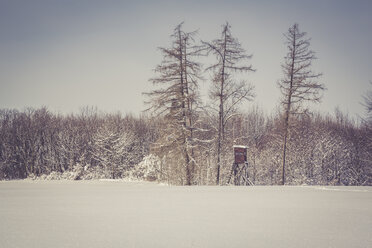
<point>323,150</point>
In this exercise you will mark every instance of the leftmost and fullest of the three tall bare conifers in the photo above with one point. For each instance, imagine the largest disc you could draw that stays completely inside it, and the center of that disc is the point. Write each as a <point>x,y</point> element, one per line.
<point>177,94</point>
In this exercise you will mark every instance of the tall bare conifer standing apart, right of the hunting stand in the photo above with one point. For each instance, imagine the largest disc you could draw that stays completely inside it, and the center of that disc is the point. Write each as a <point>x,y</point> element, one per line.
<point>300,83</point>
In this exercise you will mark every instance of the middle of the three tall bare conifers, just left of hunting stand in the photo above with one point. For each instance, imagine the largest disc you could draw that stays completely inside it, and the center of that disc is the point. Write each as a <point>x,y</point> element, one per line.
<point>226,91</point>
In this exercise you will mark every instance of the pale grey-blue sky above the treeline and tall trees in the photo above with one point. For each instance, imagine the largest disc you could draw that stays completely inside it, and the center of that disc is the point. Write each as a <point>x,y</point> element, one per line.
<point>71,53</point>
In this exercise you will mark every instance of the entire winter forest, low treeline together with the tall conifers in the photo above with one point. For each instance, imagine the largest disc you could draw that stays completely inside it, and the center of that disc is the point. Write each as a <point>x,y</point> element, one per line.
<point>179,140</point>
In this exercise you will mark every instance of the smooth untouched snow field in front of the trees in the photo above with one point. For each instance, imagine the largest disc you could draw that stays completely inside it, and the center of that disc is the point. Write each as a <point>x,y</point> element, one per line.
<point>120,214</point>
